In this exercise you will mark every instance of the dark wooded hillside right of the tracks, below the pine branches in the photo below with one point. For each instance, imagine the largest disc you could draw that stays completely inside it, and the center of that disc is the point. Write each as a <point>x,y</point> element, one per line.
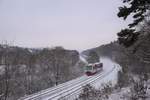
<point>135,59</point>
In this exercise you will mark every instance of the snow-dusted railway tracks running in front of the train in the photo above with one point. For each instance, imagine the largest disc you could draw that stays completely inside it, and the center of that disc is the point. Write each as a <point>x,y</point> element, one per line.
<point>66,89</point>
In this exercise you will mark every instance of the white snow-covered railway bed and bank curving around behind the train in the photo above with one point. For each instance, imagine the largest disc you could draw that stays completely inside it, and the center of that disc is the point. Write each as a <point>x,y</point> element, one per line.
<point>71,89</point>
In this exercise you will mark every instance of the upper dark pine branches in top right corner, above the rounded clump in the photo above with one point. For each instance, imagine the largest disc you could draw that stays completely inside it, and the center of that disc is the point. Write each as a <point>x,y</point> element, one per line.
<point>138,8</point>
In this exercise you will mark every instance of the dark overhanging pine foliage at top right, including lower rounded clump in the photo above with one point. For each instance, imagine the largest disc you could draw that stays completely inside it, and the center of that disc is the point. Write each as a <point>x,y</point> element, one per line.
<point>140,10</point>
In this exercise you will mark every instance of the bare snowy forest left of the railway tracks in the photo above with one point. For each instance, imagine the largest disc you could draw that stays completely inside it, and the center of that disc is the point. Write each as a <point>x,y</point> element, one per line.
<point>24,71</point>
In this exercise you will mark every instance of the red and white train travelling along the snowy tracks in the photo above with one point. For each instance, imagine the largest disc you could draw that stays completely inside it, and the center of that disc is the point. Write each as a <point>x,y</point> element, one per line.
<point>92,69</point>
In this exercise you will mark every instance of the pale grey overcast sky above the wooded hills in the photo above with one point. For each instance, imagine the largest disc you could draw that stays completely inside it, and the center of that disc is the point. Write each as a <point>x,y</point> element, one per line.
<point>73,24</point>
